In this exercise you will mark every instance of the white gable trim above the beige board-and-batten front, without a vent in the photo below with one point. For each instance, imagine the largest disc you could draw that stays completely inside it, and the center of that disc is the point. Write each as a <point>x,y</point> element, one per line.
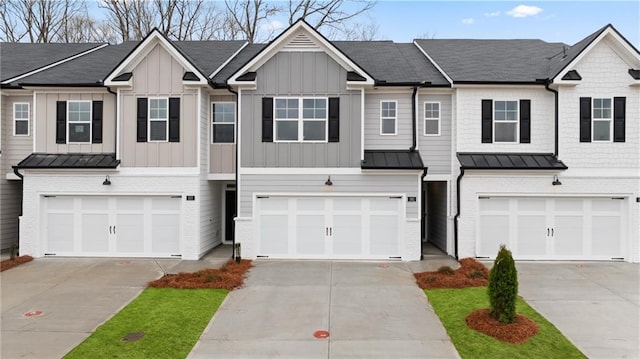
<point>144,48</point>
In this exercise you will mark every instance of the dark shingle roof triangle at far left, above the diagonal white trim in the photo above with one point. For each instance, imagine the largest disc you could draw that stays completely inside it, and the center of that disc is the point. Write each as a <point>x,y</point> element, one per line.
<point>21,58</point>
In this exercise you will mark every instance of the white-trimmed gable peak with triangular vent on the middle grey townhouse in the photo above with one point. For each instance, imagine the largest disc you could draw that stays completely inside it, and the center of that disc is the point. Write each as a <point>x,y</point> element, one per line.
<point>299,37</point>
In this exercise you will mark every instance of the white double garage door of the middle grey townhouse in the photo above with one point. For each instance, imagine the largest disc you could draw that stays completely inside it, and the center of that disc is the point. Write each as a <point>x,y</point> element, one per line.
<point>329,228</point>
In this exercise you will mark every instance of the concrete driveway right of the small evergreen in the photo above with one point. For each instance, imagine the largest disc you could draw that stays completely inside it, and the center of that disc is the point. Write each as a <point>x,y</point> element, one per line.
<point>594,304</point>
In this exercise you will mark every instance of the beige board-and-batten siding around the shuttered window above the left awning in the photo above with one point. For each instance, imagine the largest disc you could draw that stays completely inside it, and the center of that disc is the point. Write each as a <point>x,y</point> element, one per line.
<point>45,122</point>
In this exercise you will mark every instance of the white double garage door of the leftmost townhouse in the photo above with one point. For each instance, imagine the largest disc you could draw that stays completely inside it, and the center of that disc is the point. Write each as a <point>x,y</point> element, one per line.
<point>112,226</point>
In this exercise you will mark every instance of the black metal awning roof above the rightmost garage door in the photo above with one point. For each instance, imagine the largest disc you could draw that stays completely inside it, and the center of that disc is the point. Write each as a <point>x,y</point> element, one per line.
<point>510,161</point>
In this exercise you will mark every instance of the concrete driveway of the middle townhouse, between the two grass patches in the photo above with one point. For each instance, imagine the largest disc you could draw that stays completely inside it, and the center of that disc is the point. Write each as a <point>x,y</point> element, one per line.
<point>371,310</point>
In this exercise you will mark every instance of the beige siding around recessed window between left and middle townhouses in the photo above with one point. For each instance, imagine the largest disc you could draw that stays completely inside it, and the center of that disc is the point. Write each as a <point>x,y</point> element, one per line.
<point>222,155</point>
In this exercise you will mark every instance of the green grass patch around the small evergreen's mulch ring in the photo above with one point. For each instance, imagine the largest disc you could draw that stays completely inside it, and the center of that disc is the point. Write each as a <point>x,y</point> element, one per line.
<point>453,305</point>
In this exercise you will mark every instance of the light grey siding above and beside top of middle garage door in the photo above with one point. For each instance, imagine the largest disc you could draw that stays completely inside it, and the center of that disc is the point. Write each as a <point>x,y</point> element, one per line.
<point>401,184</point>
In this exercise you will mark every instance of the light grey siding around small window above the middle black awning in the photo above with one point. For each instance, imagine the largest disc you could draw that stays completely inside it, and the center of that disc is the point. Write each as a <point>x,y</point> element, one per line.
<point>373,140</point>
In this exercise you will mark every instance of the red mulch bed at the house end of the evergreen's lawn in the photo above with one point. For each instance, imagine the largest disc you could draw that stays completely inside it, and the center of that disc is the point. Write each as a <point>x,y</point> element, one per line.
<point>470,274</point>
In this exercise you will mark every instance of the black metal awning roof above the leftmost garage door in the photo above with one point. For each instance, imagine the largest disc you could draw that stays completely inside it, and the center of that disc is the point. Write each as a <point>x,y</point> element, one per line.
<point>69,160</point>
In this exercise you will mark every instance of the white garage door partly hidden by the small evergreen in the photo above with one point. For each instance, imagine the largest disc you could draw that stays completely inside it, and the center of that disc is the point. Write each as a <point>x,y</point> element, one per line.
<point>553,228</point>
